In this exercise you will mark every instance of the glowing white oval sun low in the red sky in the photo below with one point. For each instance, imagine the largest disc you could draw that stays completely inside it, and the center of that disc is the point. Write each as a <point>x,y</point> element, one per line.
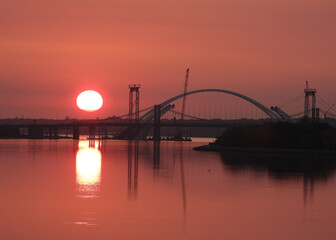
<point>89,101</point>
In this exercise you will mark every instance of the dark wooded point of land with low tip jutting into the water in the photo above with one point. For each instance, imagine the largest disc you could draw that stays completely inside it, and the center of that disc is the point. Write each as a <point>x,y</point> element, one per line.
<point>305,137</point>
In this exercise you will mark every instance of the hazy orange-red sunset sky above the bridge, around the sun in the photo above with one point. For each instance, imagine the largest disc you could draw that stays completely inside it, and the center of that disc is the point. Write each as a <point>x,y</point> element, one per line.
<point>51,50</point>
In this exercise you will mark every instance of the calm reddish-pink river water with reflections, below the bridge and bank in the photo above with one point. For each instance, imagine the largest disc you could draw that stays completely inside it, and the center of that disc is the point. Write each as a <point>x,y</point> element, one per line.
<point>63,189</point>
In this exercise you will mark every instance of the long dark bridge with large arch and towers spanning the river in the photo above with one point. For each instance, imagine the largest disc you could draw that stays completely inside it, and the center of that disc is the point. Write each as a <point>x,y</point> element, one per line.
<point>222,107</point>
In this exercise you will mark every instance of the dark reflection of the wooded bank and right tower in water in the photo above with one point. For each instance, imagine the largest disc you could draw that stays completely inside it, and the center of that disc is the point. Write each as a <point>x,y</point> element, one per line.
<point>310,169</point>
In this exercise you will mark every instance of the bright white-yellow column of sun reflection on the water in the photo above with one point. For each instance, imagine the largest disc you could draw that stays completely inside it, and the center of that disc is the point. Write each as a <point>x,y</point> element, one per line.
<point>88,170</point>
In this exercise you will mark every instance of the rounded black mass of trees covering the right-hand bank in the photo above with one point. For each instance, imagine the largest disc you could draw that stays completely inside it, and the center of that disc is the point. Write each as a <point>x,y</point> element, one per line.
<point>302,135</point>
